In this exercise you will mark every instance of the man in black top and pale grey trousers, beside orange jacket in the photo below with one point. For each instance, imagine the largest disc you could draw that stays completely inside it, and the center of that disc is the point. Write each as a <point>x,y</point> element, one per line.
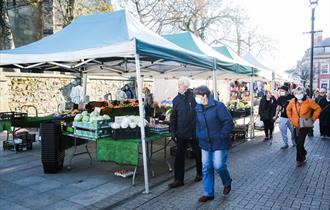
<point>284,122</point>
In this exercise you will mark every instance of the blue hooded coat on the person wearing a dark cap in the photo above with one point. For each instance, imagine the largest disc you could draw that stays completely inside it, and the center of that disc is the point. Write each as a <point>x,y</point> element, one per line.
<point>214,125</point>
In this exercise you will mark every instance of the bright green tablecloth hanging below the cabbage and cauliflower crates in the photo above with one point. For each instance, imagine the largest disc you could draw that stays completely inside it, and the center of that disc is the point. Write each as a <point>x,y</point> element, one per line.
<point>122,151</point>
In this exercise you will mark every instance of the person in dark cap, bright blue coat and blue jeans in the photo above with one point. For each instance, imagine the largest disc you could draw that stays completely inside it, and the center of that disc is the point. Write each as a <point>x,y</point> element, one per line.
<point>213,128</point>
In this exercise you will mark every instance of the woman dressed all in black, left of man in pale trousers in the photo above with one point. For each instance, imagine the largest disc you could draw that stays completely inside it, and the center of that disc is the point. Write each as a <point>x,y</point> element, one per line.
<point>267,110</point>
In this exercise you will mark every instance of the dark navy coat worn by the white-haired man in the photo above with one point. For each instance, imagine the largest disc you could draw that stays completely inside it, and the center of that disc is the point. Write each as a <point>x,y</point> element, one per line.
<point>183,117</point>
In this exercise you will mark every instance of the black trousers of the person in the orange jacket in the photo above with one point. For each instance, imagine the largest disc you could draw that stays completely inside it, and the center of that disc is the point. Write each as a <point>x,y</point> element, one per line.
<point>300,136</point>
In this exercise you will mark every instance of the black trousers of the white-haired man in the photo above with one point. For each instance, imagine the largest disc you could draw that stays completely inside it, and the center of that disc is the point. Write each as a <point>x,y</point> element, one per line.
<point>179,164</point>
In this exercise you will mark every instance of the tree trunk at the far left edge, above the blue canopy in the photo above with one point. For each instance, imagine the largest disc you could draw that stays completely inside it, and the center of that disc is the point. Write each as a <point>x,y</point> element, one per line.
<point>5,25</point>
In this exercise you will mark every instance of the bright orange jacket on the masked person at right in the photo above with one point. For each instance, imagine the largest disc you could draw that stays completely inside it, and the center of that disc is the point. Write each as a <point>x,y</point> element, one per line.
<point>306,108</point>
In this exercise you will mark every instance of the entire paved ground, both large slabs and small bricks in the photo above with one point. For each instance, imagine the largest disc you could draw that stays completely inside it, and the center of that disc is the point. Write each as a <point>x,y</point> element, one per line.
<point>265,177</point>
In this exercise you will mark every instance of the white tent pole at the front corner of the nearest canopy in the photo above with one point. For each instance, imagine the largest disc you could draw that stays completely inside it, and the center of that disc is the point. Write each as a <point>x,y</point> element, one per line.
<point>141,111</point>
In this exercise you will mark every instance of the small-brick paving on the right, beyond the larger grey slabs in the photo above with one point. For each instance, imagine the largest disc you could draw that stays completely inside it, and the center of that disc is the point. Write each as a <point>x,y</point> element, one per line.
<point>264,177</point>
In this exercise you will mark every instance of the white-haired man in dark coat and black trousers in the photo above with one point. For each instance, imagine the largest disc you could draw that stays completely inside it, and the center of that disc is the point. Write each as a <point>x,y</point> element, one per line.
<point>183,129</point>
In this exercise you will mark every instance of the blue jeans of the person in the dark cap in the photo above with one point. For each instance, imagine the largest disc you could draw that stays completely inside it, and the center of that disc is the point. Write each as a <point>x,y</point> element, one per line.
<point>214,161</point>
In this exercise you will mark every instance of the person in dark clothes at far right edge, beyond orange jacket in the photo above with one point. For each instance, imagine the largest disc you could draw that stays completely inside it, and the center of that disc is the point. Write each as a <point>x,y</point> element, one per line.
<point>325,115</point>
